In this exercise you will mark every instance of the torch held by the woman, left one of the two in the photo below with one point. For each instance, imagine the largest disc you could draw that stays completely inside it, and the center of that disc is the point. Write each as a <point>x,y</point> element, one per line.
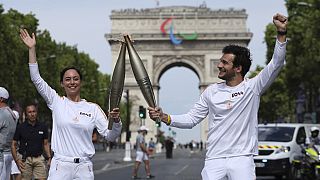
<point>117,82</point>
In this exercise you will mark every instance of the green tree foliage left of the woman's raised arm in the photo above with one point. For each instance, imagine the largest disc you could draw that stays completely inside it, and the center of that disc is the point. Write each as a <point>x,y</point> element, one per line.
<point>14,73</point>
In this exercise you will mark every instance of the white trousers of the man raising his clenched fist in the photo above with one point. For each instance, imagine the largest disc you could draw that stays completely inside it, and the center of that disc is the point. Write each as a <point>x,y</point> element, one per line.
<point>232,168</point>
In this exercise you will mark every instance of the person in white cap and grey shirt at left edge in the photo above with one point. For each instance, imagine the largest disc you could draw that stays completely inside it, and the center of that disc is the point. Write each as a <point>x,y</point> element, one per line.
<point>8,122</point>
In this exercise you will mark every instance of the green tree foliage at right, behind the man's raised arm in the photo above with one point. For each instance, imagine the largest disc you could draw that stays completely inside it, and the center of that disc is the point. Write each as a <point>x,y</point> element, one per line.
<point>302,62</point>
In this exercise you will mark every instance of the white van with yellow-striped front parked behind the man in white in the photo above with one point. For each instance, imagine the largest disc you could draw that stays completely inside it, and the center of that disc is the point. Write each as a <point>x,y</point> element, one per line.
<point>278,145</point>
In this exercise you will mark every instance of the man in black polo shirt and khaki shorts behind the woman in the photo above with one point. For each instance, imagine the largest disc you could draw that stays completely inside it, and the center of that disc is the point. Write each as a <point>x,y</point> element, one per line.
<point>33,138</point>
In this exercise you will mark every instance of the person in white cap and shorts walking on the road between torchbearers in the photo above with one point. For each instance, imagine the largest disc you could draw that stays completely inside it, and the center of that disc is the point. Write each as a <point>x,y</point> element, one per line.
<point>142,153</point>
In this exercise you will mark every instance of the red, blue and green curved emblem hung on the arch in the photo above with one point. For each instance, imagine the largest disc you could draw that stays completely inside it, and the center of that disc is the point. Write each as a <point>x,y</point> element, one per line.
<point>173,38</point>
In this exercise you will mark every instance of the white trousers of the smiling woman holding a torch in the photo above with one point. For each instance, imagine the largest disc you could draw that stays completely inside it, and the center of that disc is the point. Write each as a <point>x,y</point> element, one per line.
<point>60,169</point>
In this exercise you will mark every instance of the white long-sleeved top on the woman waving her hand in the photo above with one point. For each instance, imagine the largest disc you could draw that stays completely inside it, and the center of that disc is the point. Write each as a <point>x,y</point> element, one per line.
<point>73,122</point>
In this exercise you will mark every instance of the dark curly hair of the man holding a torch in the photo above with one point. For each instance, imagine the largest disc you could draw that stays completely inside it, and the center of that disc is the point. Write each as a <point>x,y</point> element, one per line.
<point>242,57</point>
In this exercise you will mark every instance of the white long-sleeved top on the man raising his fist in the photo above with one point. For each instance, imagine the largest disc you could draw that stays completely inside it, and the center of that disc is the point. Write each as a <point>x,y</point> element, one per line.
<point>232,111</point>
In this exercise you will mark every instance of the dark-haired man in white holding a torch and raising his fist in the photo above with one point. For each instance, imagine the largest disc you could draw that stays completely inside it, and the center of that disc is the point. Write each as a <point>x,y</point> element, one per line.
<point>232,108</point>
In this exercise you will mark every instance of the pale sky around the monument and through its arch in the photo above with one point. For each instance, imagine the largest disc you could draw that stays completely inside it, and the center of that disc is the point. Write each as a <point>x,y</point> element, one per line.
<point>83,23</point>
